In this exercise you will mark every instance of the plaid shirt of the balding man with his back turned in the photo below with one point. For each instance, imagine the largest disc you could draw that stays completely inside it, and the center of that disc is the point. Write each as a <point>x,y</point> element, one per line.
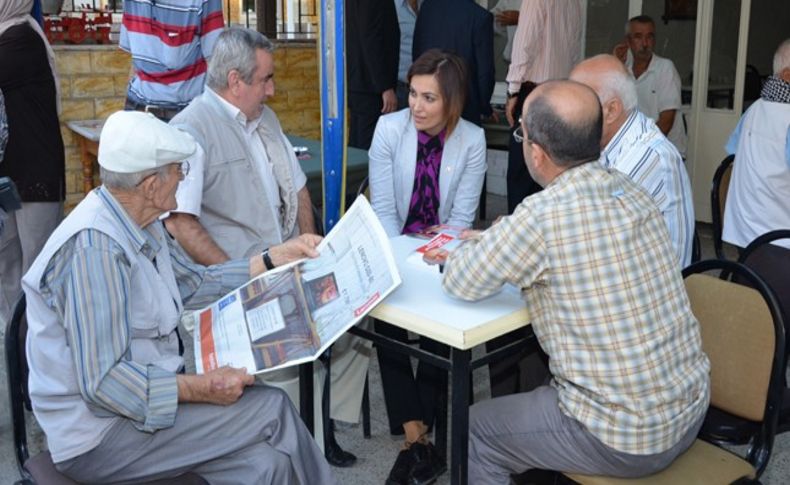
<point>600,278</point>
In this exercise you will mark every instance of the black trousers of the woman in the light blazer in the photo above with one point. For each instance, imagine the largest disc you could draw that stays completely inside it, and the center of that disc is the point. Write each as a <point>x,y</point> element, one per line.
<point>410,397</point>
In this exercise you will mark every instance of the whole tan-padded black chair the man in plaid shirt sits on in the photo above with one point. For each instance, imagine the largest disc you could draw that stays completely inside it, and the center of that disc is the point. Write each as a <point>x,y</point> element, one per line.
<point>743,335</point>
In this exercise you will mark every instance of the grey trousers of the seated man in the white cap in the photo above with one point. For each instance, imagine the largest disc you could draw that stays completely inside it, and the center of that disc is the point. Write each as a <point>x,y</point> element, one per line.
<point>258,440</point>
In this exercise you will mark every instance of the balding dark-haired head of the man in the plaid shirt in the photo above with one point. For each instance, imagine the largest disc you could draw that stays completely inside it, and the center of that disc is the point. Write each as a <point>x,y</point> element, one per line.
<point>564,118</point>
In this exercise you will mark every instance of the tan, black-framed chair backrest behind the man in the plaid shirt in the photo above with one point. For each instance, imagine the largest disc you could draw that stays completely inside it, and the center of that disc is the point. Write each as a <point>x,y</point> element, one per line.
<point>743,335</point>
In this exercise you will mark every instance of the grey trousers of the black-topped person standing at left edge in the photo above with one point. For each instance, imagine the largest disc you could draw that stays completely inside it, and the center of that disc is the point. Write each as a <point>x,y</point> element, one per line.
<point>24,235</point>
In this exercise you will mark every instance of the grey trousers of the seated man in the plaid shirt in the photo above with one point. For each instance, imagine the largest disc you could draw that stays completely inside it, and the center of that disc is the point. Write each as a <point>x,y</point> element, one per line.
<point>513,434</point>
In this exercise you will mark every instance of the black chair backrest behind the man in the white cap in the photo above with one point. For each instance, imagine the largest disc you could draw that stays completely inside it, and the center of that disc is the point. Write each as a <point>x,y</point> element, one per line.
<point>17,371</point>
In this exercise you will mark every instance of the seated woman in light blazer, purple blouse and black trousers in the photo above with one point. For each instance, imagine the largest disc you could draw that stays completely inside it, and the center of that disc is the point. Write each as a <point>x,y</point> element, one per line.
<point>426,167</point>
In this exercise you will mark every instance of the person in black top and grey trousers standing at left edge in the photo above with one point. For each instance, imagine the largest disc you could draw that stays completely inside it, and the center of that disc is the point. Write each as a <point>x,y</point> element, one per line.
<point>34,156</point>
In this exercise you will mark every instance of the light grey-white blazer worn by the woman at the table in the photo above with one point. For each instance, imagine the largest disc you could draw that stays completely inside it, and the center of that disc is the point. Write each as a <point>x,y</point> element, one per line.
<point>393,160</point>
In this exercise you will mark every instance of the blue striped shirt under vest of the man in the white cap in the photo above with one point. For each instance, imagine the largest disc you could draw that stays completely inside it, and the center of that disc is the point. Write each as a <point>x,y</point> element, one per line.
<point>87,284</point>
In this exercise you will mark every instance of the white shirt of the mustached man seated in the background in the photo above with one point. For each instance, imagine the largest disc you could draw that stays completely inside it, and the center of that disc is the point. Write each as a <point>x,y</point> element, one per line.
<point>658,89</point>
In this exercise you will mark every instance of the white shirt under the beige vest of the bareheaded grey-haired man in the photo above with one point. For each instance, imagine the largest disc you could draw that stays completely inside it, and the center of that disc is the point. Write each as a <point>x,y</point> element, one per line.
<point>190,191</point>
